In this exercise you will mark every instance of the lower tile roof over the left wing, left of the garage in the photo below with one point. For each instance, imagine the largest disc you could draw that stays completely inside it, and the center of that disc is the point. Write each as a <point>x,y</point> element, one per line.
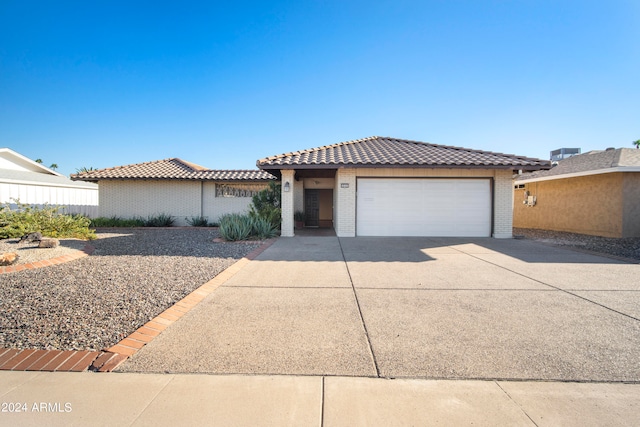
<point>171,169</point>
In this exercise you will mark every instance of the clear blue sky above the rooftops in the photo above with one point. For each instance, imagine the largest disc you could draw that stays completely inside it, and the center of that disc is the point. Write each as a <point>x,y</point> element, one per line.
<point>222,84</point>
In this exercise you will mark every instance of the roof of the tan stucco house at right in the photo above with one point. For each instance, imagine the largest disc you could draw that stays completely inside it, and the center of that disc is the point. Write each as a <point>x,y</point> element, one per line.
<point>590,163</point>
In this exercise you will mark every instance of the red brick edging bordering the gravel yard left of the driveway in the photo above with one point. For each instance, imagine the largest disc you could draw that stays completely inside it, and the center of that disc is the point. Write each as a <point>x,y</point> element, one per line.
<point>12,359</point>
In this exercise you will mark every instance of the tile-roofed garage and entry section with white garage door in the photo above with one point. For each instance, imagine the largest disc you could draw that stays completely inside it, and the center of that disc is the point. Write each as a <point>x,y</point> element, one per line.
<point>392,187</point>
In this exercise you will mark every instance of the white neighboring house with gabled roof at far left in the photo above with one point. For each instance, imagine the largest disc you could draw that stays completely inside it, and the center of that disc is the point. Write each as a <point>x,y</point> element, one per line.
<point>29,182</point>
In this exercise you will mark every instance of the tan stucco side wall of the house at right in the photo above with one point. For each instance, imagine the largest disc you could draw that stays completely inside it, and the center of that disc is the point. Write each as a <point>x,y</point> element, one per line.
<point>587,205</point>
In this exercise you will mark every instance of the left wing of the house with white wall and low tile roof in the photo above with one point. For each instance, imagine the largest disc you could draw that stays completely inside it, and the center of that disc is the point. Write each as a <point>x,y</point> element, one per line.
<point>174,187</point>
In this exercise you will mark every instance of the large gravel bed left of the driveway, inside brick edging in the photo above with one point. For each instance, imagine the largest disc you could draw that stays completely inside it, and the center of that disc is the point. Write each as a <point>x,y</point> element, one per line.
<point>93,302</point>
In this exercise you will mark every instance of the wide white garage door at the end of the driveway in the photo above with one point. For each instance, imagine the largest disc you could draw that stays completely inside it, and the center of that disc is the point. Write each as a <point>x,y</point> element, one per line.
<point>423,207</point>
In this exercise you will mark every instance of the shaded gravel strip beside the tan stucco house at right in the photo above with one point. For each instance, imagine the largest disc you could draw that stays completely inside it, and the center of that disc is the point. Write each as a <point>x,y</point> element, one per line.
<point>625,248</point>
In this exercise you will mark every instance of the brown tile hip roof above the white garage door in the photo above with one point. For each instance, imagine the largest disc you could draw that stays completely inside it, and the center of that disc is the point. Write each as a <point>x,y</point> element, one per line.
<point>378,151</point>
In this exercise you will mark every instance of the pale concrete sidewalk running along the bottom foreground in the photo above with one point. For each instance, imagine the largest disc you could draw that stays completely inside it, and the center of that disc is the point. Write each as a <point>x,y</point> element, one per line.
<point>89,399</point>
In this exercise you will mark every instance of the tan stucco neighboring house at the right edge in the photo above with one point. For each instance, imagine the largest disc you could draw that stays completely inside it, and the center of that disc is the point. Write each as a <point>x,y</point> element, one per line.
<point>595,193</point>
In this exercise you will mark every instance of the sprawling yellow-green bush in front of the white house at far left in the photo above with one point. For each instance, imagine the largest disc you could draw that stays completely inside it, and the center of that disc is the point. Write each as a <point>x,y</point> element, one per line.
<point>47,220</point>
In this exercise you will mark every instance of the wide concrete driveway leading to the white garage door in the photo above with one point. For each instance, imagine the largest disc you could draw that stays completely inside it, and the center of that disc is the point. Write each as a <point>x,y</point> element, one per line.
<point>415,308</point>
